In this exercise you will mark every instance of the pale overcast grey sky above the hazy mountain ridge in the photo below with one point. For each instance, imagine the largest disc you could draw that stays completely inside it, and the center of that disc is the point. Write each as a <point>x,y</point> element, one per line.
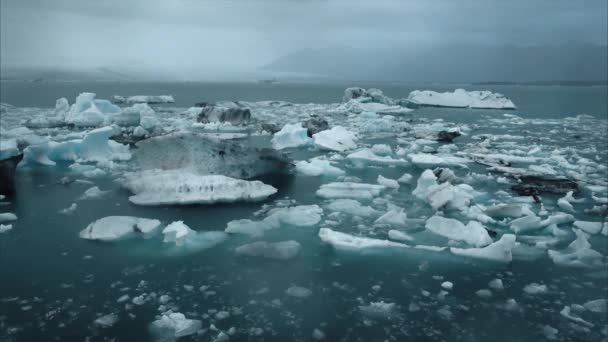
<point>181,35</point>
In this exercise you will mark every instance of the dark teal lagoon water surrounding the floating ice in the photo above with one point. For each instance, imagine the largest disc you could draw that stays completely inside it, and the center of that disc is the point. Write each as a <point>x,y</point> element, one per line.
<point>54,285</point>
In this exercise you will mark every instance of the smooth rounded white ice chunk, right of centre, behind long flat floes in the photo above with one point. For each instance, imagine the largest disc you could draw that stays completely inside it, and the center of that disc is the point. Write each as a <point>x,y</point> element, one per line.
<point>473,233</point>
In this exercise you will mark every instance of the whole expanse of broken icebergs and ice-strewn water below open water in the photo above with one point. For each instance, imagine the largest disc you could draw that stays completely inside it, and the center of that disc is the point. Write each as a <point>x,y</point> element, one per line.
<point>360,220</point>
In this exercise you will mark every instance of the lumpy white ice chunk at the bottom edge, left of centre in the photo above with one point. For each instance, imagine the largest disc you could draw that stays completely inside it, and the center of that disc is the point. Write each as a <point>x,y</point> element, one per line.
<point>172,326</point>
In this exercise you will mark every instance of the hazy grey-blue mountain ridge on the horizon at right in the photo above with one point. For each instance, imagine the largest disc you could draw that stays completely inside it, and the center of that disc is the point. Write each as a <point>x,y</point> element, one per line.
<point>454,64</point>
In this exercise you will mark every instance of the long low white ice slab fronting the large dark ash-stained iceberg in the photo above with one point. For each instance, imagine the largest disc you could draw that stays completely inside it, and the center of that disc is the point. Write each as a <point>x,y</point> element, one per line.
<point>161,187</point>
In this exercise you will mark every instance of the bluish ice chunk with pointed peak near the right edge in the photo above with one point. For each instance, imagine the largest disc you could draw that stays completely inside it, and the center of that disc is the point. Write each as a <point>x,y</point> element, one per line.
<point>578,254</point>
